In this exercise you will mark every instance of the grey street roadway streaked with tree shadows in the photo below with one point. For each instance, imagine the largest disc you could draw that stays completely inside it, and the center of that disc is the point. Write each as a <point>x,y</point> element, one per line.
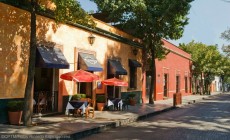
<point>207,120</point>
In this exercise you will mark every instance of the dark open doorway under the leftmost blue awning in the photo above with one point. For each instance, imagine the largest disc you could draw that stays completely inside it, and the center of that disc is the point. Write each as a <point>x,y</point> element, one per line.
<point>46,90</point>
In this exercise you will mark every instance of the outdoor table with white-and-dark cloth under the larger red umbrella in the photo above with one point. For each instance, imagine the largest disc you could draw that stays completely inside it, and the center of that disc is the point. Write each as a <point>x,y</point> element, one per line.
<point>77,105</point>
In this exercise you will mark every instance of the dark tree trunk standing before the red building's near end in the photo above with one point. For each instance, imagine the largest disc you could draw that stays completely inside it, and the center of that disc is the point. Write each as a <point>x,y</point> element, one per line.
<point>153,78</point>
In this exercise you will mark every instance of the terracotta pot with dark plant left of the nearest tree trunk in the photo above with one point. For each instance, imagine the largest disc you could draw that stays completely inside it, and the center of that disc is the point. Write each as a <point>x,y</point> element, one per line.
<point>15,108</point>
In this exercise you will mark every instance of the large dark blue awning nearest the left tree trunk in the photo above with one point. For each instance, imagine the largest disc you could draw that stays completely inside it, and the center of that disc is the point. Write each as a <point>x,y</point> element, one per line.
<point>50,57</point>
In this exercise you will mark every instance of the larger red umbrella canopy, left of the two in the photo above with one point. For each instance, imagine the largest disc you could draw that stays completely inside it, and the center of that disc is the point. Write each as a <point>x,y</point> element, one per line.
<point>79,76</point>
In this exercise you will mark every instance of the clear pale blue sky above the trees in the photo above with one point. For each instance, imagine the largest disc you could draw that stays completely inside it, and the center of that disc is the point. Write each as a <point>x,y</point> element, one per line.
<point>207,20</point>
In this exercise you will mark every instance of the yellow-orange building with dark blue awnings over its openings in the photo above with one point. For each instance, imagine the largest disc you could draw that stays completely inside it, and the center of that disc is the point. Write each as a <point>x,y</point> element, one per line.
<point>63,48</point>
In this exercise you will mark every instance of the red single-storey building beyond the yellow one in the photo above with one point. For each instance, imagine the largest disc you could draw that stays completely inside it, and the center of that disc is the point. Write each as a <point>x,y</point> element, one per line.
<point>173,74</point>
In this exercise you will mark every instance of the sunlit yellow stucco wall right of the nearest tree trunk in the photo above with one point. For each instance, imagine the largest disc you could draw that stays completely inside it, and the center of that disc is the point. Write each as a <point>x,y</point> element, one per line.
<point>73,40</point>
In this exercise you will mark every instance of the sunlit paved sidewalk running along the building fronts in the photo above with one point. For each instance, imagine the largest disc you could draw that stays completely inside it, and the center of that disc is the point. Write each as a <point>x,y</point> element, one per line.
<point>64,127</point>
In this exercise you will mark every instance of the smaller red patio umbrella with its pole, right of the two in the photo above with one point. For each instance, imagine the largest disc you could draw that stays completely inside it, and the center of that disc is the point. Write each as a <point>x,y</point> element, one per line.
<point>115,82</point>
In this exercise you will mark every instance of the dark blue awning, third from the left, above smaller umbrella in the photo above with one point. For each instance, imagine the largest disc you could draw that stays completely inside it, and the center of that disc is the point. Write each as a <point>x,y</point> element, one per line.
<point>115,67</point>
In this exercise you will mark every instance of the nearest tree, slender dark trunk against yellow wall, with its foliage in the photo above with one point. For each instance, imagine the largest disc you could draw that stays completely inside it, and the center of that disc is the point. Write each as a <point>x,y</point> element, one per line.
<point>66,10</point>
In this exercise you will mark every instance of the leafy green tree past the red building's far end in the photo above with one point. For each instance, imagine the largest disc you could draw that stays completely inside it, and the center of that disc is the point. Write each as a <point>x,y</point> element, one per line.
<point>207,61</point>
